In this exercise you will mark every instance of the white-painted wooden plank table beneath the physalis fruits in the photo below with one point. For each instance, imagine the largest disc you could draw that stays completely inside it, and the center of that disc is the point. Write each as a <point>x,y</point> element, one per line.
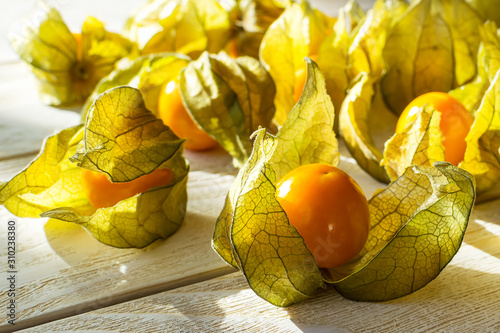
<point>67,281</point>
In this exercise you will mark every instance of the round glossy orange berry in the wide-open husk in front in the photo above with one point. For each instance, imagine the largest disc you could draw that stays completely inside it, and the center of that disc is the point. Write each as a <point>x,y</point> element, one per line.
<point>328,209</point>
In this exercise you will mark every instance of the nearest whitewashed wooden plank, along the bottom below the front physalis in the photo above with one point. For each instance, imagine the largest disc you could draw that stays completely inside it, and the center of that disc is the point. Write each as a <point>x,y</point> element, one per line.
<point>463,298</point>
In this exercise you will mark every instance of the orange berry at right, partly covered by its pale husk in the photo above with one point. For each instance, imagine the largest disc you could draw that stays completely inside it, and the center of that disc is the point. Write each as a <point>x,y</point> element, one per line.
<point>455,122</point>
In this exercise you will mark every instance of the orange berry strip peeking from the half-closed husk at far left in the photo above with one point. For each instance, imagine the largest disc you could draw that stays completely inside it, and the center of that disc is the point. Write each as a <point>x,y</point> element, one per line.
<point>101,192</point>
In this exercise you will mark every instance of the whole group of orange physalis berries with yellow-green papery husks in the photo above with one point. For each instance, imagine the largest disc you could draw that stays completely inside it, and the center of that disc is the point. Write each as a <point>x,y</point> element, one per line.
<point>416,92</point>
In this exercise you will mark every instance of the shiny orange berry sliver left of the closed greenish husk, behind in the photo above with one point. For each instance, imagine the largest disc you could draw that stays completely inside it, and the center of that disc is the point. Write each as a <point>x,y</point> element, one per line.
<point>173,113</point>
